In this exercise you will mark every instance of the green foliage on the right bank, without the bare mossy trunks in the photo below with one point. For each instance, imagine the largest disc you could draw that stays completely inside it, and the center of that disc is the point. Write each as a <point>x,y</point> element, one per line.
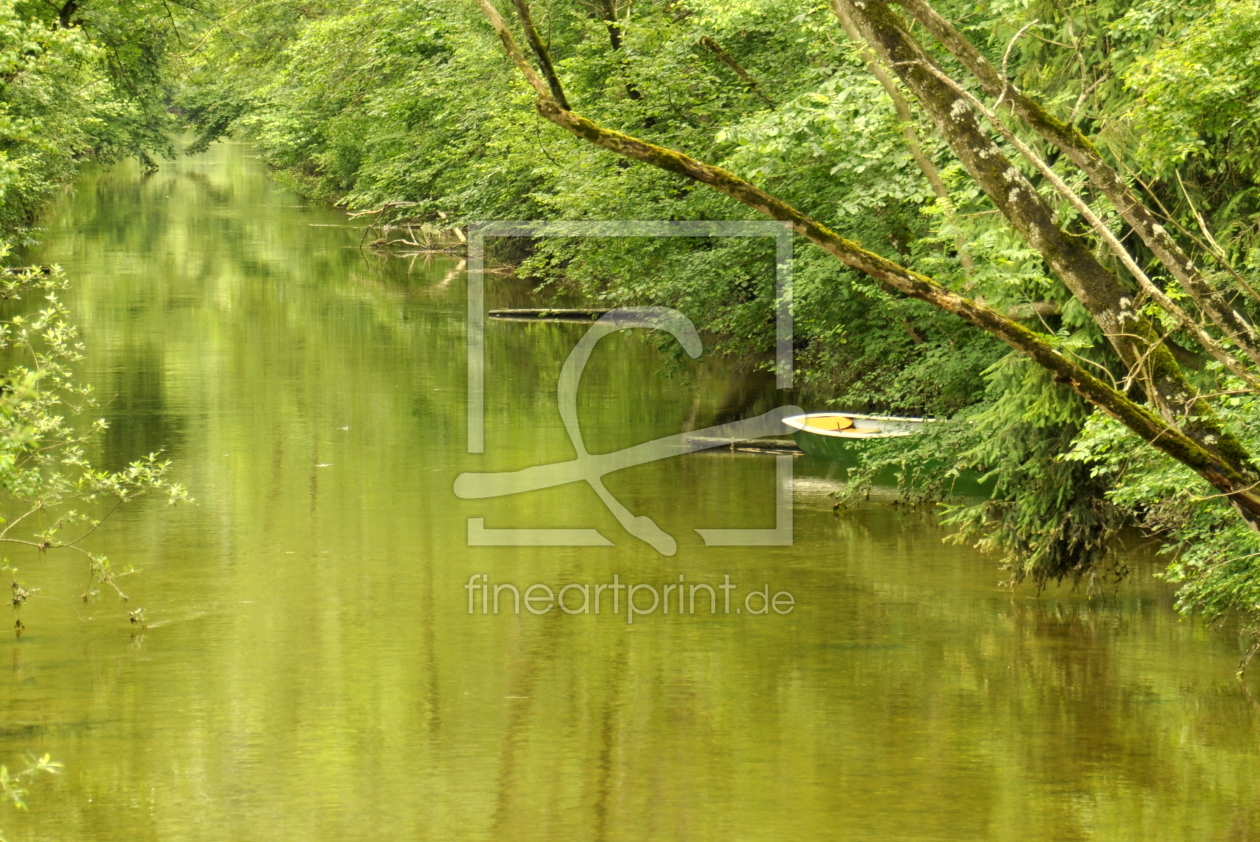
<point>380,103</point>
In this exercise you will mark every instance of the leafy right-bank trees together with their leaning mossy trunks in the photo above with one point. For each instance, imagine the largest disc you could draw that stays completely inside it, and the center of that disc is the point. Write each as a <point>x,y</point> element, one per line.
<point>1055,205</point>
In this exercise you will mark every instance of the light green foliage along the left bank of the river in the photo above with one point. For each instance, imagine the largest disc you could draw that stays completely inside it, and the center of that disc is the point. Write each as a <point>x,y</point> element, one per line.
<point>85,81</point>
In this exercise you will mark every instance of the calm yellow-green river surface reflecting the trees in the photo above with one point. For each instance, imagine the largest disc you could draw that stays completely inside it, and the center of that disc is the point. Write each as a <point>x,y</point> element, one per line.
<point>312,671</point>
